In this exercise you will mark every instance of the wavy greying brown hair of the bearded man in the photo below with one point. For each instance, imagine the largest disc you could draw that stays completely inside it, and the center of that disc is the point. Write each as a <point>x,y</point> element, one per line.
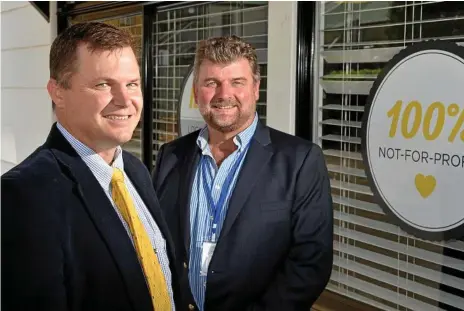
<point>225,50</point>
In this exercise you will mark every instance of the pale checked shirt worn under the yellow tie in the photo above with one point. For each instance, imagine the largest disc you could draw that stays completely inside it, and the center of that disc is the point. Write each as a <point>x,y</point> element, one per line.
<point>103,173</point>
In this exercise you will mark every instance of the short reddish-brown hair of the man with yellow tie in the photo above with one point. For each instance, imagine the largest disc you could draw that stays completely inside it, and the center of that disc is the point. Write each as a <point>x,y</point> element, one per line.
<point>96,35</point>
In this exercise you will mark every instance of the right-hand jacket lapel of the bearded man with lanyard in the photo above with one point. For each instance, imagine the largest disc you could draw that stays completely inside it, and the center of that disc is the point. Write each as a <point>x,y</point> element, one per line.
<point>255,160</point>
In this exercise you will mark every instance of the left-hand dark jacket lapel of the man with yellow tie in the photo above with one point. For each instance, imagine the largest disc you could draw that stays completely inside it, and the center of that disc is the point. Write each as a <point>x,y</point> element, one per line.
<point>104,217</point>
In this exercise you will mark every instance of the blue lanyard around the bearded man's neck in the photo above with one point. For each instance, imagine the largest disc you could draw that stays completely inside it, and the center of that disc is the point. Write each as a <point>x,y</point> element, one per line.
<point>219,206</point>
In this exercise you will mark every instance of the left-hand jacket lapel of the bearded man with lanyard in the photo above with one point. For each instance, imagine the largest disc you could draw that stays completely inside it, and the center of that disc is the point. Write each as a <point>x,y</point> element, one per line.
<point>188,166</point>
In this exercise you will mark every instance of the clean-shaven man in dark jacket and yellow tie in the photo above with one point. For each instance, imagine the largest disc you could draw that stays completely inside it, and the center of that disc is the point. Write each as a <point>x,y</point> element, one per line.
<point>81,223</point>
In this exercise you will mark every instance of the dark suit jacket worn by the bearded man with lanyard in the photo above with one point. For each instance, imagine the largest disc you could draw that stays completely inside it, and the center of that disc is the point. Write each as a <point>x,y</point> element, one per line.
<point>275,249</point>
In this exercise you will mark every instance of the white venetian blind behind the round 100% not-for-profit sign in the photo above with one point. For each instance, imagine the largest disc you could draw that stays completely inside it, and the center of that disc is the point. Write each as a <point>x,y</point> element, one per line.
<point>375,261</point>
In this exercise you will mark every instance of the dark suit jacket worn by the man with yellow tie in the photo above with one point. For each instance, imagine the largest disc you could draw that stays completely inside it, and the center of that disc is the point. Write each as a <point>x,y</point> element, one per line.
<point>63,245</point>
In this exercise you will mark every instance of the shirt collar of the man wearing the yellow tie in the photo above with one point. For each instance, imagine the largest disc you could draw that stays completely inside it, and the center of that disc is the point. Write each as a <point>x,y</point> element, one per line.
<point>100,169</point>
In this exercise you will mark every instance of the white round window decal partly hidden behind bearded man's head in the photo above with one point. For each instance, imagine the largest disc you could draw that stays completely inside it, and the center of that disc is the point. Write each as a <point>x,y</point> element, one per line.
<point>190,118</point>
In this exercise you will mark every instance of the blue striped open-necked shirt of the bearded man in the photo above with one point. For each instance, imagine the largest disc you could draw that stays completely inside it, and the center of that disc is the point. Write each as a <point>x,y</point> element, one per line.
<point>200,212</point>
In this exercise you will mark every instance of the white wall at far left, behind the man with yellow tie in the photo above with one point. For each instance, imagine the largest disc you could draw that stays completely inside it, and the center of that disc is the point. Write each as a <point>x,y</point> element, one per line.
<point>26,113</point>
